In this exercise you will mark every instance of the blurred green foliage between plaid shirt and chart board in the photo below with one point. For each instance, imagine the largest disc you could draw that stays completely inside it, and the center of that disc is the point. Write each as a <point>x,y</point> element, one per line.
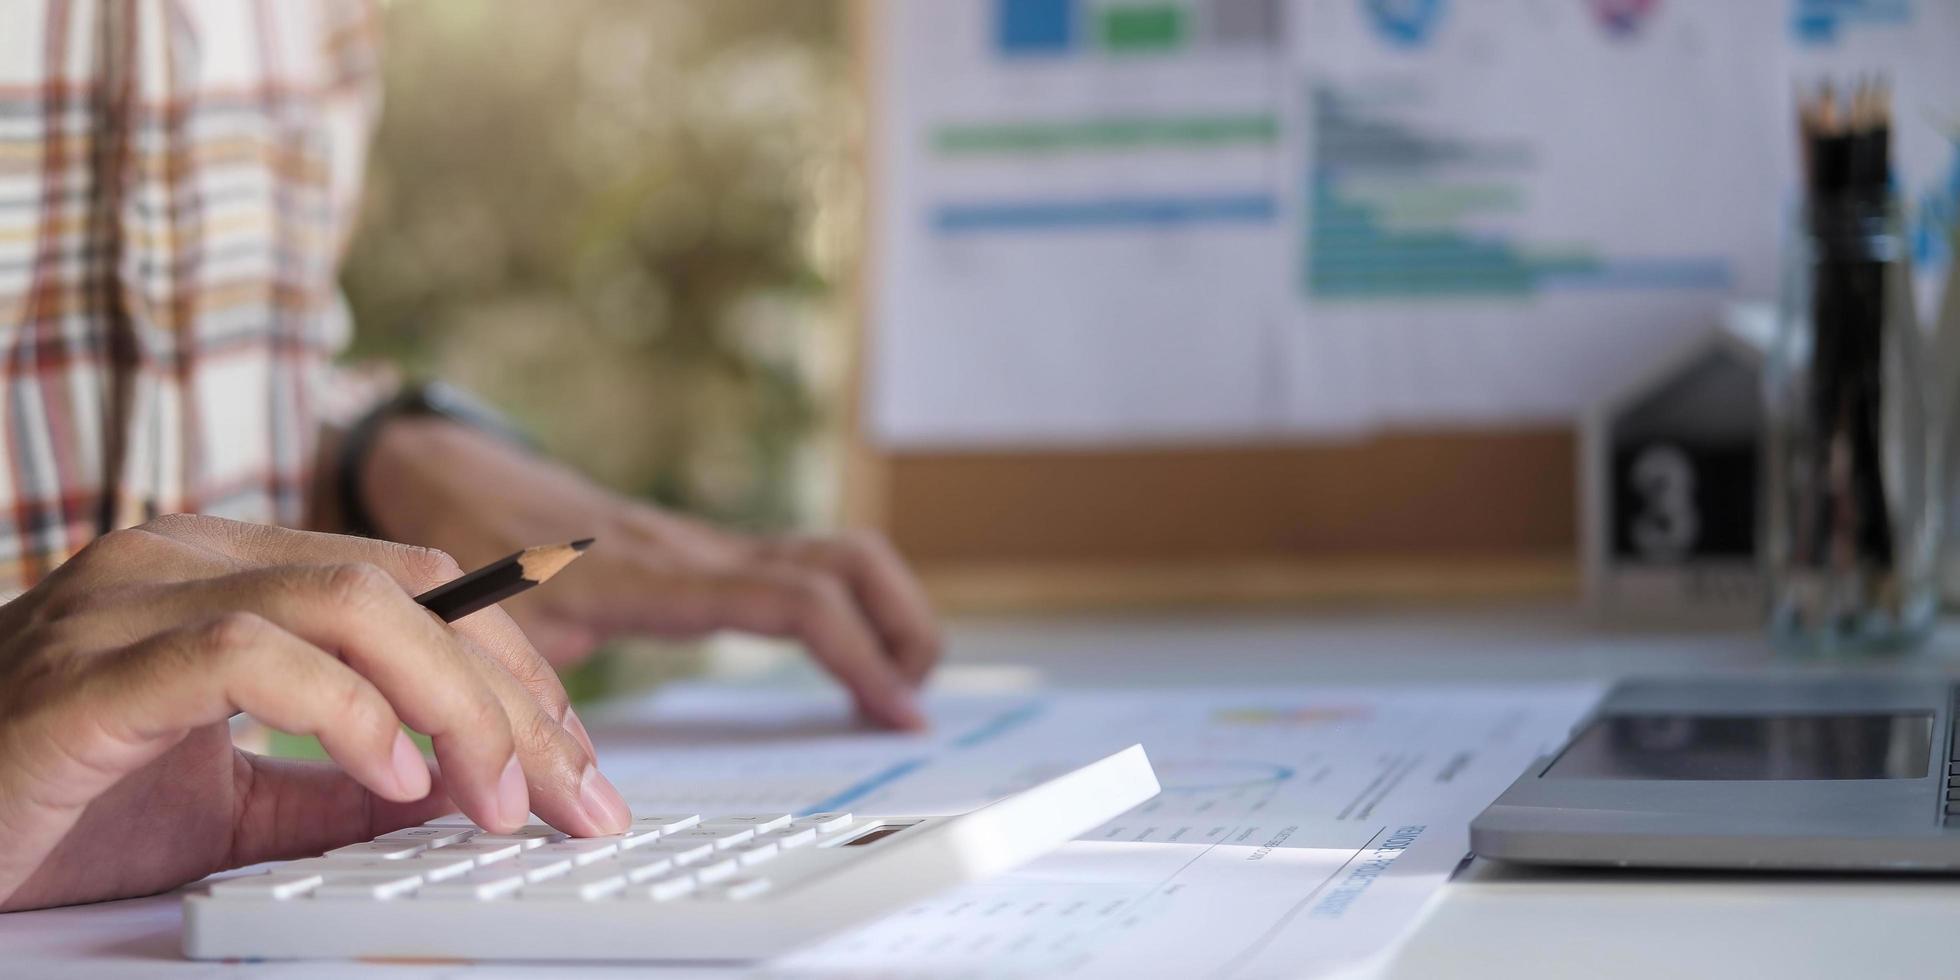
<point>620,220</point>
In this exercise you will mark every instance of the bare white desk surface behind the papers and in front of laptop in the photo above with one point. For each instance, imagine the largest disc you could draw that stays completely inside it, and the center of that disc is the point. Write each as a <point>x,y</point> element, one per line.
<point>1494,920</point>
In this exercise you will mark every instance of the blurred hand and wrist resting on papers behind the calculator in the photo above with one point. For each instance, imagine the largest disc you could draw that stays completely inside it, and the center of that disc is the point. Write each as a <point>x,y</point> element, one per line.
<point>850,599</point>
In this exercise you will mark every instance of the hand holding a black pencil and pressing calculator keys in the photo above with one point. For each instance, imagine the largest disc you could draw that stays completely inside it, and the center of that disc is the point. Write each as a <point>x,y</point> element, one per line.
<point>121,671</point>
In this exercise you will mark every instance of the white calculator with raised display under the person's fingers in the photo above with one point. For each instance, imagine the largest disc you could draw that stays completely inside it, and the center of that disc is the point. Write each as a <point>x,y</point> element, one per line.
<point>677,887</point>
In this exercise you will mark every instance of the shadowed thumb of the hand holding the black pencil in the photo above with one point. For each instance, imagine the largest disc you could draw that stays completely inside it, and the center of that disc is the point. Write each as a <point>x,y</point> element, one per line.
<point>301,808</point>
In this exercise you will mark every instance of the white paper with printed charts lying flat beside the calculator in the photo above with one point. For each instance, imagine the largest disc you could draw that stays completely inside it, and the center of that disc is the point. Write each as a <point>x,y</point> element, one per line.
<point>1300,832</point>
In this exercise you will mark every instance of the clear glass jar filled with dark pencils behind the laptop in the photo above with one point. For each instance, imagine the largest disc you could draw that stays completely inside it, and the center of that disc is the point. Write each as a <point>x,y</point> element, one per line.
<point>1853,481</point>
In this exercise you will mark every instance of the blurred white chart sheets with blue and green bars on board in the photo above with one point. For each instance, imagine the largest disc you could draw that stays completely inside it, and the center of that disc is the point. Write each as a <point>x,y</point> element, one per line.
<point>1116,222</point>
